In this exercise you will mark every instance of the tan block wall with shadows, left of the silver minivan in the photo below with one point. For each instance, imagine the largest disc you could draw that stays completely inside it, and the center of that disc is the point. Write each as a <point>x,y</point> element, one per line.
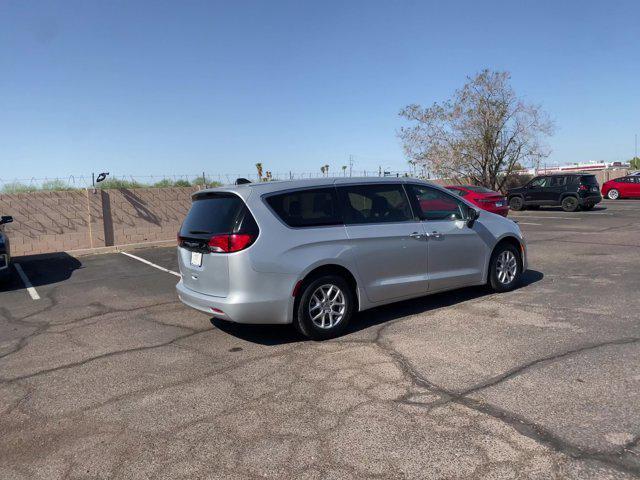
<point>61,221</point>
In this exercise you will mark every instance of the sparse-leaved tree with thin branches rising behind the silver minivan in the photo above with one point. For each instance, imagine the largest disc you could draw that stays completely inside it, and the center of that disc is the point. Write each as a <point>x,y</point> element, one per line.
<point>480,135</point>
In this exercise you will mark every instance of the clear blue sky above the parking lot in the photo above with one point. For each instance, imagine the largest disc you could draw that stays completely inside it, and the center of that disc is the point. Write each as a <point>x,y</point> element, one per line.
<point>154,87</point>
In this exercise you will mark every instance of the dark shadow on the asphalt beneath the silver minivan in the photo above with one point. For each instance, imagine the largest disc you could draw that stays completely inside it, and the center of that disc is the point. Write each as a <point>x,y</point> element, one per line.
<point>270,335</point>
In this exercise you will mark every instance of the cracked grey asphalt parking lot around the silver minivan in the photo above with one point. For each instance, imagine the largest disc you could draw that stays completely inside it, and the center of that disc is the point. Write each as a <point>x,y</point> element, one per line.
<point>107,375</point>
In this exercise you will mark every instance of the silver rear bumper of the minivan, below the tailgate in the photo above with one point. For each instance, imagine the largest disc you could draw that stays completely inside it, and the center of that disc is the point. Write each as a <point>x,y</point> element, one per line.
<point>253,311</point>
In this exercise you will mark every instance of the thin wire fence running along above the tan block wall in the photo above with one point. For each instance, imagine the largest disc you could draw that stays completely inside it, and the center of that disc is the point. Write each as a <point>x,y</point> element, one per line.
<point>115,180</point>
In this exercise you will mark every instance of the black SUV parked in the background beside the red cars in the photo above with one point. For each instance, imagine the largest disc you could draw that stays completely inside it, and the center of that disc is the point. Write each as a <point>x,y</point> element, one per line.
<point>571,191</point>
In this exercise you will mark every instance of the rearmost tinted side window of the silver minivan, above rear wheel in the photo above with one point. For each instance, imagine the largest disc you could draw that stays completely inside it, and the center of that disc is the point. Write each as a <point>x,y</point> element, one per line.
<point>306,208</point>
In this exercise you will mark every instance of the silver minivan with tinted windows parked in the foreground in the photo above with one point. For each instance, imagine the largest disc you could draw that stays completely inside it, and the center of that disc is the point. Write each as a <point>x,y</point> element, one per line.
<point>314,252</point>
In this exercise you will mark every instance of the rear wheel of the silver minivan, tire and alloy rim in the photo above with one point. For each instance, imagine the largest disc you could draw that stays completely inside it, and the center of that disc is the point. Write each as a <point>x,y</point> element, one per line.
<point>325,307</point>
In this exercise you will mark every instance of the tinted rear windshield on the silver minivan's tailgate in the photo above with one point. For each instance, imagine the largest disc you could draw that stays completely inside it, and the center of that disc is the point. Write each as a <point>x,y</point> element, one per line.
<point>213,213</point>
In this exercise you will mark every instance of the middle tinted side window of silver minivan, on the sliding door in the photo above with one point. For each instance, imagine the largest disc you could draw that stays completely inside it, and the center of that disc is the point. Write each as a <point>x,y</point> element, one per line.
<point>380,203</point>
